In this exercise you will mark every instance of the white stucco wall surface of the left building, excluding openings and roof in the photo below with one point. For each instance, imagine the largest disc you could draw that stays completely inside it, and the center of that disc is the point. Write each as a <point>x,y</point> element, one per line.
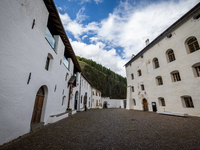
<point>24,50</point>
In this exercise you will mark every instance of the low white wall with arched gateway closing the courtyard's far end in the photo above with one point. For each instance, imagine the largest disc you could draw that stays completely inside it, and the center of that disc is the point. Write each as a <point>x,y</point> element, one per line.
<point>113,103</point>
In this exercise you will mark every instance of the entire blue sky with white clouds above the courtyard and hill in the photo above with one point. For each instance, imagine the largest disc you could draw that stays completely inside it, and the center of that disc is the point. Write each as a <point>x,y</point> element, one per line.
<point>110,31</point>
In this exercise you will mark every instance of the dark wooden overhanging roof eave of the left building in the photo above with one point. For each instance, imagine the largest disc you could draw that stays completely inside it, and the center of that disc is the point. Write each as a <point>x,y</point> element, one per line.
<point>53,14</point>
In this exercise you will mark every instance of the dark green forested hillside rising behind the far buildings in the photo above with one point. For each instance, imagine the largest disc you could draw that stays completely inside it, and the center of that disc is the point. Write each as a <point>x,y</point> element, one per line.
<point>108,82</point>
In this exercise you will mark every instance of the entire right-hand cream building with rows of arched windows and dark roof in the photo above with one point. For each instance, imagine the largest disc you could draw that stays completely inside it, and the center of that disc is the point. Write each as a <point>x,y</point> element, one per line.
<point>165,75</point>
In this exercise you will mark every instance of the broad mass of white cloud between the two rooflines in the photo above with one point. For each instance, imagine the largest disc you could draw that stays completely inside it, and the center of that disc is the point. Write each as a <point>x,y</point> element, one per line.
<point>127,27</point>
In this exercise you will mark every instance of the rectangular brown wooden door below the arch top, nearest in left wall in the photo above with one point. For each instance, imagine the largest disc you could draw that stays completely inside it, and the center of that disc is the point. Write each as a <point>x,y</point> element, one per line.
<point>37,111</point>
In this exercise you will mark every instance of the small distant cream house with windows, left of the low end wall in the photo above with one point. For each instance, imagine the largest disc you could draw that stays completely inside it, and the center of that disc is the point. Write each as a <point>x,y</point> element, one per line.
<point>96,98</point>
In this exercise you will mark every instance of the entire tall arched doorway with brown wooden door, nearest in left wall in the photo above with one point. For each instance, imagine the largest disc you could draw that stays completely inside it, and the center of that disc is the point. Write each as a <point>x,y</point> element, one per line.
<point>37,111</point>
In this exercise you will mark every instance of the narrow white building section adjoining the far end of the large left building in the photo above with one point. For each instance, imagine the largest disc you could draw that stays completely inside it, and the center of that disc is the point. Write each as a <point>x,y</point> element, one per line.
<point>85,91</point>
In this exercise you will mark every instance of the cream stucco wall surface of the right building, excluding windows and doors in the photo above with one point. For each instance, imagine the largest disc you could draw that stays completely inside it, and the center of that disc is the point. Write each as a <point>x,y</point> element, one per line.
<point>170,91</point>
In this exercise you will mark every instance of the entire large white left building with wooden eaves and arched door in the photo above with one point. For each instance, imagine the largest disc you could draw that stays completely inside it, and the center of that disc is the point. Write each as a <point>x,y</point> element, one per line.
<point>40,74</point>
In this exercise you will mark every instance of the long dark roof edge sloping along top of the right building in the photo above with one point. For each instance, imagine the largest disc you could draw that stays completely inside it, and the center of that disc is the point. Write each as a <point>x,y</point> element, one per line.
<point>174,26</point>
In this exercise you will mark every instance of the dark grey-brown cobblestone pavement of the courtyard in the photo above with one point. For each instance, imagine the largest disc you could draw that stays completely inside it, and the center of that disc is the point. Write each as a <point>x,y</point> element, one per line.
<point>114,129</point>
